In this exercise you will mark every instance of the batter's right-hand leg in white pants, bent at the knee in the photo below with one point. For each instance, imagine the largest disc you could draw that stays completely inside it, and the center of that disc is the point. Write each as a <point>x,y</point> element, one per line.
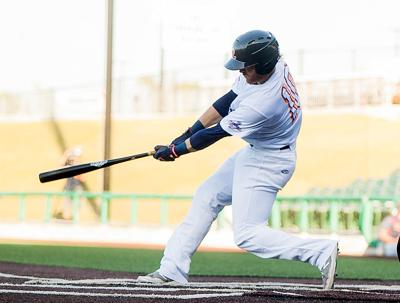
<point>258,177</point>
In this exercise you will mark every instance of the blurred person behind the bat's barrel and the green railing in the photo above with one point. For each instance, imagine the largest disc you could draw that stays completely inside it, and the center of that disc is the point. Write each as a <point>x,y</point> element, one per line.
<point>70,157</point>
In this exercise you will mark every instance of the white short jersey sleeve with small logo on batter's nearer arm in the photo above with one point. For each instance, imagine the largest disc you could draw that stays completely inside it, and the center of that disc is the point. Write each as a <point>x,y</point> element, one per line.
<point>243,121</point>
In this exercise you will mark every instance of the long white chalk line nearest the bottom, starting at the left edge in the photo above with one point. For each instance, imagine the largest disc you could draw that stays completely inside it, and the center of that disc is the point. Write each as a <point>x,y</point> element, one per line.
<point>67,293</point>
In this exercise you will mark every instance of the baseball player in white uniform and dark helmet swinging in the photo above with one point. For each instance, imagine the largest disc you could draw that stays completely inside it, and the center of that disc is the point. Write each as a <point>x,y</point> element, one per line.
<point>262,108</point>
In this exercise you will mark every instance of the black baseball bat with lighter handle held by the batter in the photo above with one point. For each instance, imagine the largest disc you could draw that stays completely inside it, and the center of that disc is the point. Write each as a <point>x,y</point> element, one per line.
<point>73,170</point>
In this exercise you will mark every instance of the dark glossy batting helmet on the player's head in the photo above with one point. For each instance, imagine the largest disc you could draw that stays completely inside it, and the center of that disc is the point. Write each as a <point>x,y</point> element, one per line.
<point>256,47</point>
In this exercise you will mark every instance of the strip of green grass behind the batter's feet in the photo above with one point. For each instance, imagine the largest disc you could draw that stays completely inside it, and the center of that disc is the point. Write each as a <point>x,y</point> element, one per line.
<point>203,263</point>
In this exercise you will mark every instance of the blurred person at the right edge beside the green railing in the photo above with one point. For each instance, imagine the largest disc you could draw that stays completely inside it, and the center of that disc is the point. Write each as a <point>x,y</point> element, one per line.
<point>389,232</point>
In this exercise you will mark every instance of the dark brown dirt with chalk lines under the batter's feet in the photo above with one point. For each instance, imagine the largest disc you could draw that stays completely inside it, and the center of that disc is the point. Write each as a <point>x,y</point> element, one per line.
<point>35,283</point>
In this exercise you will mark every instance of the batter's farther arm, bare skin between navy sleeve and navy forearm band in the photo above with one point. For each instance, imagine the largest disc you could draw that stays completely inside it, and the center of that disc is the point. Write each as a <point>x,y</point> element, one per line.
<point>210,117</point>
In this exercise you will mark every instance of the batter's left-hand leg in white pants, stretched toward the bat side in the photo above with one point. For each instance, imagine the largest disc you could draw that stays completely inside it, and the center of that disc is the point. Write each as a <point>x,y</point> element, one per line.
<point>208,201</point>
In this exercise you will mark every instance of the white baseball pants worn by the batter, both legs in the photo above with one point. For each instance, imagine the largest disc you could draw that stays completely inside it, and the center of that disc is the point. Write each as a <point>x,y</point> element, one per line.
<point>249,180</point>
